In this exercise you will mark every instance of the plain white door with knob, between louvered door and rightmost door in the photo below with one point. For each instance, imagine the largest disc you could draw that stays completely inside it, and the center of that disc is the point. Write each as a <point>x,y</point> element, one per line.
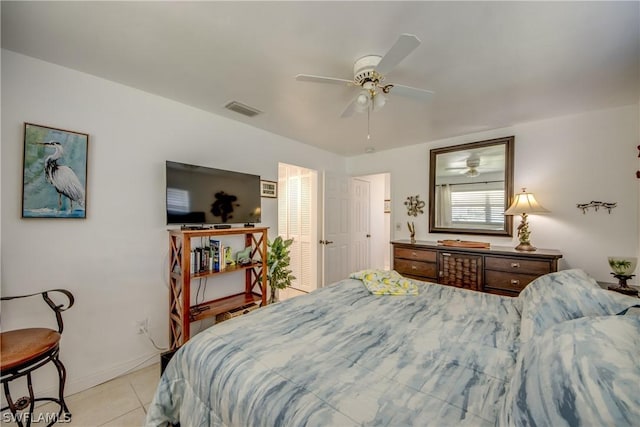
<point>334,241</point>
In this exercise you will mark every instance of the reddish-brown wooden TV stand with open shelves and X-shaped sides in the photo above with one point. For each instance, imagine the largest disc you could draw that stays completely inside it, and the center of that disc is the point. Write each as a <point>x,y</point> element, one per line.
<point>181,312</point>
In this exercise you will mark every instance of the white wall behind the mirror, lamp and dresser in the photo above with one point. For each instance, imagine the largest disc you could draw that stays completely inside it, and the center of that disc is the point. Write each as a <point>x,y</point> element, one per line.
<point>563,161</point>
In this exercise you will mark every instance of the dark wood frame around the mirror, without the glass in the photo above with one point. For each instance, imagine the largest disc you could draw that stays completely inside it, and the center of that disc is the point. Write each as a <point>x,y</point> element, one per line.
<point>508,143</point>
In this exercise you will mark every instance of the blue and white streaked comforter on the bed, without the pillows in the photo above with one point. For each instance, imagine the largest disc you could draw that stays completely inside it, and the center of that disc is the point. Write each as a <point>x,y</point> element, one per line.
<point>343,357</point>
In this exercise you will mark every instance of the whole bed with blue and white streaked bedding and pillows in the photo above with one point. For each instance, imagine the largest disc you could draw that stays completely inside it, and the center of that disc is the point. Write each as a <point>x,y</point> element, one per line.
<point>562,353</point>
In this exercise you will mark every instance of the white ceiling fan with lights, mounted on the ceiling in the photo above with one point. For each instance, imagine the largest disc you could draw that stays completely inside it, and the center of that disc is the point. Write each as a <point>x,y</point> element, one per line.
<point>369,74</point>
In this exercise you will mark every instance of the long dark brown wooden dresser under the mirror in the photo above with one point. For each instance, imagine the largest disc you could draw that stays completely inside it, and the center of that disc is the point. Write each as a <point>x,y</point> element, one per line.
<point>498,270</point>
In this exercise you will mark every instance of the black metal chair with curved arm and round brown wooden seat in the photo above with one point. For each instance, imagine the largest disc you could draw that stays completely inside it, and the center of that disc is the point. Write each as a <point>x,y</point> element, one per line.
<point>24,350</point>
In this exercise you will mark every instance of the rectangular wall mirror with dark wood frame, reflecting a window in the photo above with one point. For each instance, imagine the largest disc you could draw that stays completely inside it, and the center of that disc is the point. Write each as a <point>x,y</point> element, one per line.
<point>470,187</point>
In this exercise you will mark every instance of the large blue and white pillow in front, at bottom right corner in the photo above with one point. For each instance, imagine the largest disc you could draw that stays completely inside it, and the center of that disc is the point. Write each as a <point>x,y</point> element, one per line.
<point>582,372</point>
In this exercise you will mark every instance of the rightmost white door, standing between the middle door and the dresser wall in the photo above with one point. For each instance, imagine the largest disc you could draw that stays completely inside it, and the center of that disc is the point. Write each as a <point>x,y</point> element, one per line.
<point>360,224</point>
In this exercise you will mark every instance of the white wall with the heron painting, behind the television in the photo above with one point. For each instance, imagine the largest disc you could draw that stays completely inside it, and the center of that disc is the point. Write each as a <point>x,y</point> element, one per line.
<point>115,261</point>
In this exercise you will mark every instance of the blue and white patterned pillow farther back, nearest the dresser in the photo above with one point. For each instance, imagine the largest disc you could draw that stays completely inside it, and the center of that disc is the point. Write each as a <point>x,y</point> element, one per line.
<point>565,295</point>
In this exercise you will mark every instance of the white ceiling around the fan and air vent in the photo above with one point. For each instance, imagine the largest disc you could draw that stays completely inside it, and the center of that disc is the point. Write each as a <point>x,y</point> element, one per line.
<point>491,64</point>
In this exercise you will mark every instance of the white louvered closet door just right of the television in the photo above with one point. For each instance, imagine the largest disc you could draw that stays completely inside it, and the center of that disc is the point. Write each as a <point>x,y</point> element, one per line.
<point>297,216</point>
